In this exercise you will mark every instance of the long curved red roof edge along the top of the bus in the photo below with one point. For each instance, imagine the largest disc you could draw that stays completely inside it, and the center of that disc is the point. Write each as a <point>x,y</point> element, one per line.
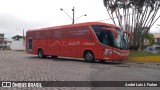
<point>76,25</point>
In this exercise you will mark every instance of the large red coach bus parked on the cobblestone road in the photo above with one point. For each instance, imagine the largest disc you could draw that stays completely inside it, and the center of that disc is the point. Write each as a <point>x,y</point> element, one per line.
<point>91,41</point>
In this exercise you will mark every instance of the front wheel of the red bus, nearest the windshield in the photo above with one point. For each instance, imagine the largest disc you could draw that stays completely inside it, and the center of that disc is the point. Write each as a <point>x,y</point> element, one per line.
<point>89,56</point>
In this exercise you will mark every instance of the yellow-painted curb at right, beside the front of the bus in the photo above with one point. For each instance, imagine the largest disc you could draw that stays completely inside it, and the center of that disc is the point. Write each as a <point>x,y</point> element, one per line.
<point>144,59</point>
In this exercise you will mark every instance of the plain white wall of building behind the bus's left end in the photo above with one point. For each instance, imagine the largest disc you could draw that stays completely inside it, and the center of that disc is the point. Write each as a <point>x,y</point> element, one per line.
<point>17,45</point>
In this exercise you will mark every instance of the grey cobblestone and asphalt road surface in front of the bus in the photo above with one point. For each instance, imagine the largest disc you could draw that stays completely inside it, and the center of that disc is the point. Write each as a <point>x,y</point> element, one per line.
<point>19,66</point>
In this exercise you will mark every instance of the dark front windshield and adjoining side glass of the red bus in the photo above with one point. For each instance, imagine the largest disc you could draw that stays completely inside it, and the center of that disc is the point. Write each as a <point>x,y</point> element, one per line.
<point>106,37</point>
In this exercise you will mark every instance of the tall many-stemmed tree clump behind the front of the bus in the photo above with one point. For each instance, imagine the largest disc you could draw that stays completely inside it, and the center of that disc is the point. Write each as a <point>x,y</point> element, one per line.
<point>135,16</point>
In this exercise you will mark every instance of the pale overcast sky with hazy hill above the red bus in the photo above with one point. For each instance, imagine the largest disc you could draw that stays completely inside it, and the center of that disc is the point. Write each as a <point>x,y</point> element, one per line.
<point>16,15</point>
